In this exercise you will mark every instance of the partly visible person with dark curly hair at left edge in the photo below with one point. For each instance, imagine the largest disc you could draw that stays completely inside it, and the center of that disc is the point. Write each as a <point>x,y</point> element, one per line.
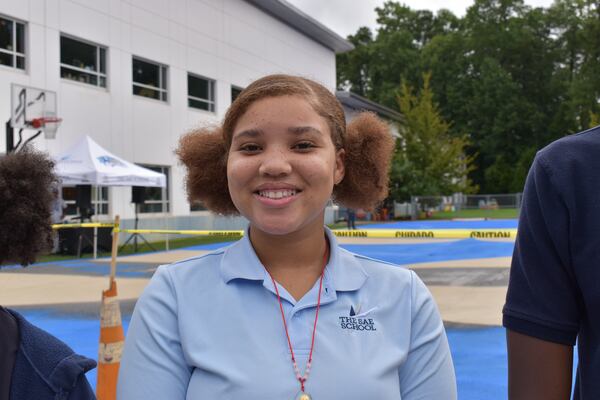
<point>33,364</point>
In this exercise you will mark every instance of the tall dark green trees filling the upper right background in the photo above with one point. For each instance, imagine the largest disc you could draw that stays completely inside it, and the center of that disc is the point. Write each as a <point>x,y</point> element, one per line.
<point>510,76</point>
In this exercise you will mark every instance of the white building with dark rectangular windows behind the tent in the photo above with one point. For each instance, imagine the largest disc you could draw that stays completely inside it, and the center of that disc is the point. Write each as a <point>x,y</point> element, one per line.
<point>136,74</point>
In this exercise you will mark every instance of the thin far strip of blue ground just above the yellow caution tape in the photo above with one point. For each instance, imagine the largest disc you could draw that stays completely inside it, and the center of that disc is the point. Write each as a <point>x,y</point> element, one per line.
<point>447,224</point>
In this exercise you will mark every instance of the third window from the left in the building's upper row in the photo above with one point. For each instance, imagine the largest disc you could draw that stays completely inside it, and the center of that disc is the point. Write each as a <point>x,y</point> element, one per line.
<point>149,79</point>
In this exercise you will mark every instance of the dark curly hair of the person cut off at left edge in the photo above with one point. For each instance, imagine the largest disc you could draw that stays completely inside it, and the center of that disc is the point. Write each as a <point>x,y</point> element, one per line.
<point>26,196</point>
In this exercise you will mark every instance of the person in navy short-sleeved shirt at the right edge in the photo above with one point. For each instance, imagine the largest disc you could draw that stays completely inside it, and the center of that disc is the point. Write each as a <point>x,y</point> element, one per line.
<point>554,289</point>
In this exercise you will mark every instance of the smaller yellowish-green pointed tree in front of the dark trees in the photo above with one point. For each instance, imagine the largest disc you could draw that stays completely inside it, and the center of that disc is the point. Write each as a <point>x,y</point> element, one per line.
<point>428,160</point>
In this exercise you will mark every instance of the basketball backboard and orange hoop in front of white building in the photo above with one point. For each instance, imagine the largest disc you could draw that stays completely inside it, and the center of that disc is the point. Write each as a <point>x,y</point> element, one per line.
<point>33,108</point>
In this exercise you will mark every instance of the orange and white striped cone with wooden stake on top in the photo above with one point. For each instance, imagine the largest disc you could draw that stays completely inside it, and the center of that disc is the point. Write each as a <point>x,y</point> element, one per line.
<point>112,336</point>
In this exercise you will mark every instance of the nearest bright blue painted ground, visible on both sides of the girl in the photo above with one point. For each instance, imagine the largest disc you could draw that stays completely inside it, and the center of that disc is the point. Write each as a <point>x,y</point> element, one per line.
<point>479,354</point>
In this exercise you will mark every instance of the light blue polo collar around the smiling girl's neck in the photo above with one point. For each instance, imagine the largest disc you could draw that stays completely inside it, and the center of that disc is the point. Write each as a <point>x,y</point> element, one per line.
<point>343,273</point>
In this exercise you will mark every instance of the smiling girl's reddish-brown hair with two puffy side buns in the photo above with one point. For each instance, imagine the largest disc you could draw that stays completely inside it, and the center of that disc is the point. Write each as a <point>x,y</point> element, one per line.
<point>367,142</point>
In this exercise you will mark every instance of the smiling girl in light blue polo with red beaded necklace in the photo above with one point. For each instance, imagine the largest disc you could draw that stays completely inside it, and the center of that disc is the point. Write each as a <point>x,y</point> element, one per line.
<point>285,313</point>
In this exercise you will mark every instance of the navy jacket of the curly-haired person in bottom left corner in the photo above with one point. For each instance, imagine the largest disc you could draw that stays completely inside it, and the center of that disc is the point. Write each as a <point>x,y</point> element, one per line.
<point>46,368</point>
